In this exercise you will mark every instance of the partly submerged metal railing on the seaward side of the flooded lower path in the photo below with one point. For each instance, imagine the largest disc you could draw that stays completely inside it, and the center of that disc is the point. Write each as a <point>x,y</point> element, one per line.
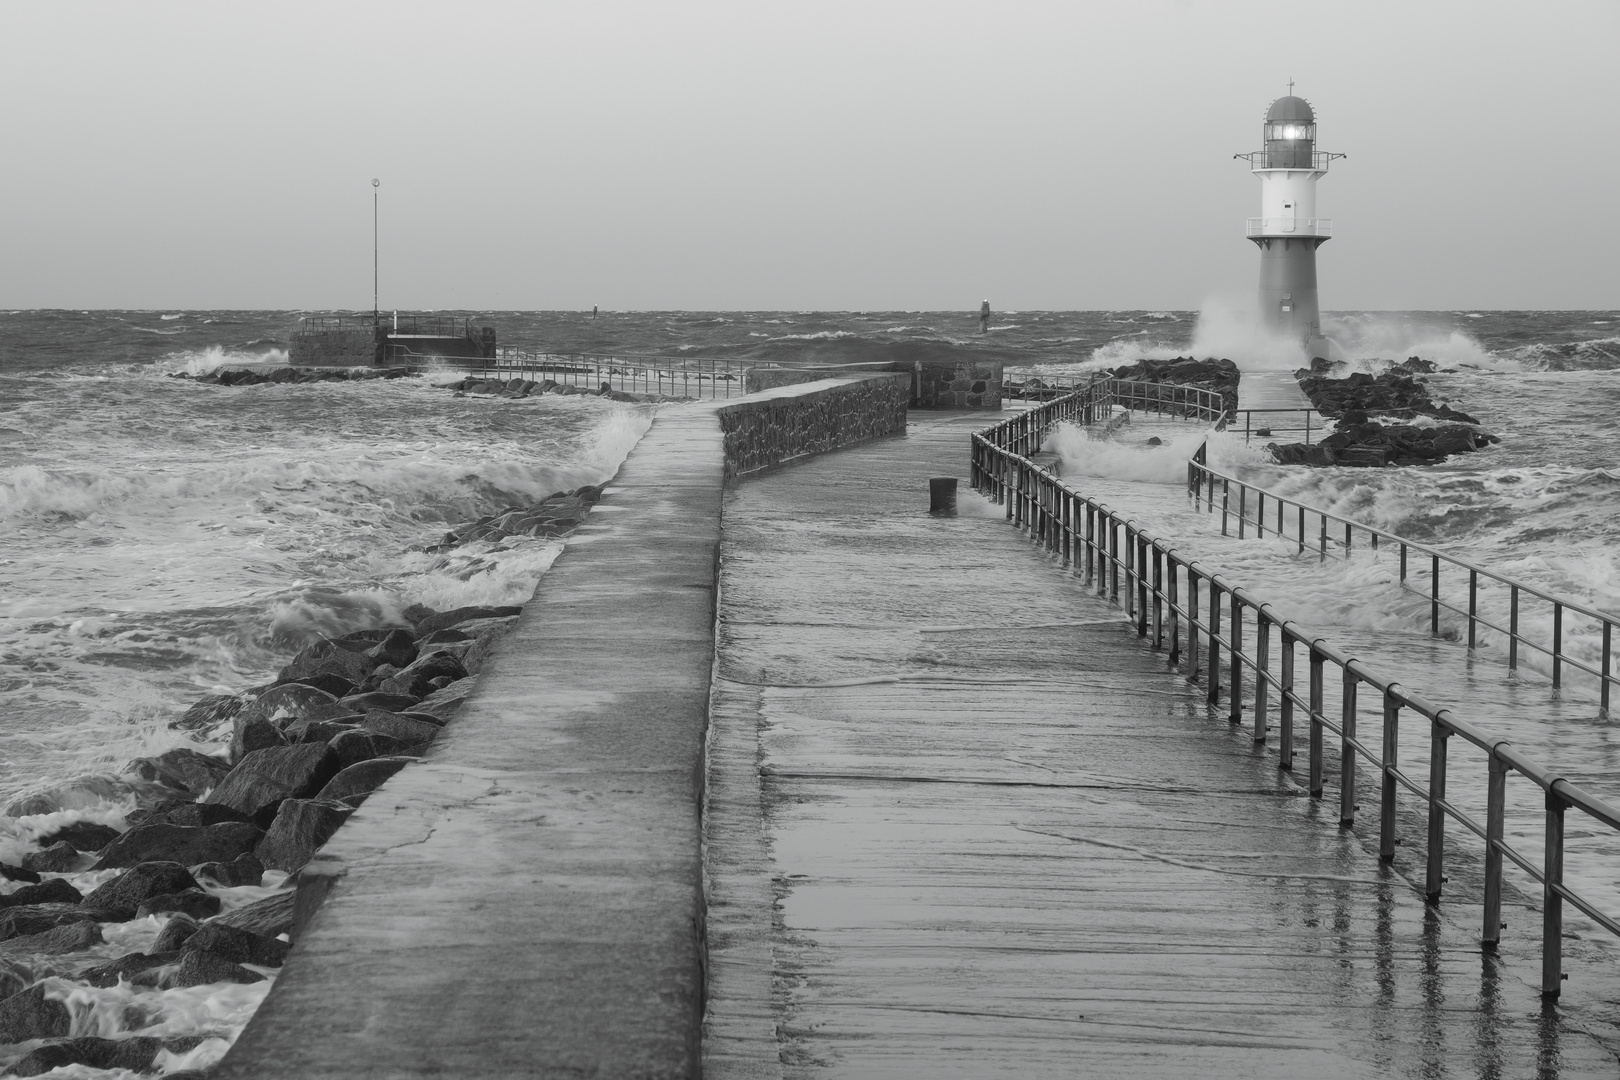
<point>1423,576</point>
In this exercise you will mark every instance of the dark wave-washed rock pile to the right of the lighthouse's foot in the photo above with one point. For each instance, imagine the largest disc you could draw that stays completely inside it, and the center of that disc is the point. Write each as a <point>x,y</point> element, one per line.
<point>1376,415</point>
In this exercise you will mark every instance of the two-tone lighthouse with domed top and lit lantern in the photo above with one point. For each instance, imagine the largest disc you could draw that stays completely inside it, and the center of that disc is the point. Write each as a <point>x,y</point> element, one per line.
<point>1289,231</point>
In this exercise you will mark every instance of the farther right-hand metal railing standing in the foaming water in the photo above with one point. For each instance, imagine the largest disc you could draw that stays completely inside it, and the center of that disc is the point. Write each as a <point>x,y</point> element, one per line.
<point>1201,488</point>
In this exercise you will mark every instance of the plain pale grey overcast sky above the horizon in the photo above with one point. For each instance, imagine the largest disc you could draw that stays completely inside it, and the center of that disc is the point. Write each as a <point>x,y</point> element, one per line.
<point>808,156</point>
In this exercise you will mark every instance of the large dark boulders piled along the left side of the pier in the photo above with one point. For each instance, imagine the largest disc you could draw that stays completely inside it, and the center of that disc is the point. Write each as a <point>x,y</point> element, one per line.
<point>213,851</point>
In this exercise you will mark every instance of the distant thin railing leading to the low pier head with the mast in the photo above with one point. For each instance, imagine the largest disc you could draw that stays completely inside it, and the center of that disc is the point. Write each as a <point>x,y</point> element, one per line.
<point>663,376</point>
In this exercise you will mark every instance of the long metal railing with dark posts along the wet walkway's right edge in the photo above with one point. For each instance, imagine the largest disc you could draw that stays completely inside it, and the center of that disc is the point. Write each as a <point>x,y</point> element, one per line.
<point>1164,593</point>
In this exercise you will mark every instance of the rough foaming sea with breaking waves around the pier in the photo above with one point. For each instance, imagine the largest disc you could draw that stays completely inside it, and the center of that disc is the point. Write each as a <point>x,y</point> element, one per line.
<point>163,540</point>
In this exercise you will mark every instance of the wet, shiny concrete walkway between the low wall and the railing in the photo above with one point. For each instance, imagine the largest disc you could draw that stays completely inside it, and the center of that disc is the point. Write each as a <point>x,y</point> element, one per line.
<point>961,823</point>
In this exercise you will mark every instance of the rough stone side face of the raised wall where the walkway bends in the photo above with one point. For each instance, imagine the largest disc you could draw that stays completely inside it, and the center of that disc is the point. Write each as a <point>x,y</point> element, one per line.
<point>770,432</point>
